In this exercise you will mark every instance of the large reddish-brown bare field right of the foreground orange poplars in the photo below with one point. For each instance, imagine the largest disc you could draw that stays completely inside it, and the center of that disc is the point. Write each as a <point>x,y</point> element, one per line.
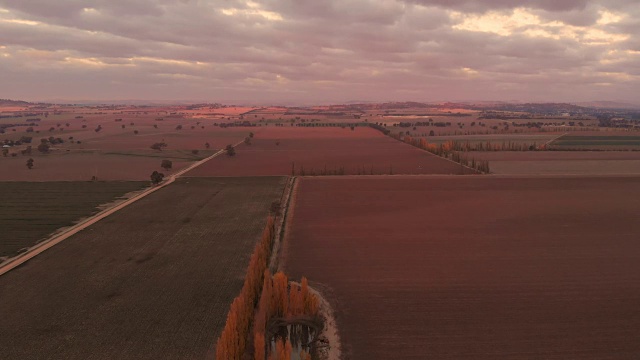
<point>473,267</point>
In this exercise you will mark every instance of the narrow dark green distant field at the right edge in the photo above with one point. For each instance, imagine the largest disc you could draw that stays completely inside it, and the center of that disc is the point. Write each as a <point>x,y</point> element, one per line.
<point>596,142</point>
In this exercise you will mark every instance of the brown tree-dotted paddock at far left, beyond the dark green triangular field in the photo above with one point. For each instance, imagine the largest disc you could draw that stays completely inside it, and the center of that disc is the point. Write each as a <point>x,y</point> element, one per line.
<point>112,153</point>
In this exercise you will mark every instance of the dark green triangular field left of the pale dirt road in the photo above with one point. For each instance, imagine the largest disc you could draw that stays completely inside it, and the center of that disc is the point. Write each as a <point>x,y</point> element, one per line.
<point>29,211</point>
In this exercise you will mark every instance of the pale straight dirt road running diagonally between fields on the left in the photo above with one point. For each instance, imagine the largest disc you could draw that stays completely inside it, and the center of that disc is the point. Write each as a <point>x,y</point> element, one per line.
<point>39,248</point>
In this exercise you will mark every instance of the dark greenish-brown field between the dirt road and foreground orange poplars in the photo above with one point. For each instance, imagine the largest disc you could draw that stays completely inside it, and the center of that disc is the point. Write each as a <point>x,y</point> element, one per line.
<point>153,281</point>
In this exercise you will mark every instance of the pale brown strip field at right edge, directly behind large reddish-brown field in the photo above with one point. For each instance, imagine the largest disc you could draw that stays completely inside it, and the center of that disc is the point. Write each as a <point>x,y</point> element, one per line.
<point>562,162</point>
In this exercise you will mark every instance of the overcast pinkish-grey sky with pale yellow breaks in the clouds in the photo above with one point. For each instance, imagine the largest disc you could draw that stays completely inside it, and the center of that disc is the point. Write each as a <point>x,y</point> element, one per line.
<point>320,51</point>
